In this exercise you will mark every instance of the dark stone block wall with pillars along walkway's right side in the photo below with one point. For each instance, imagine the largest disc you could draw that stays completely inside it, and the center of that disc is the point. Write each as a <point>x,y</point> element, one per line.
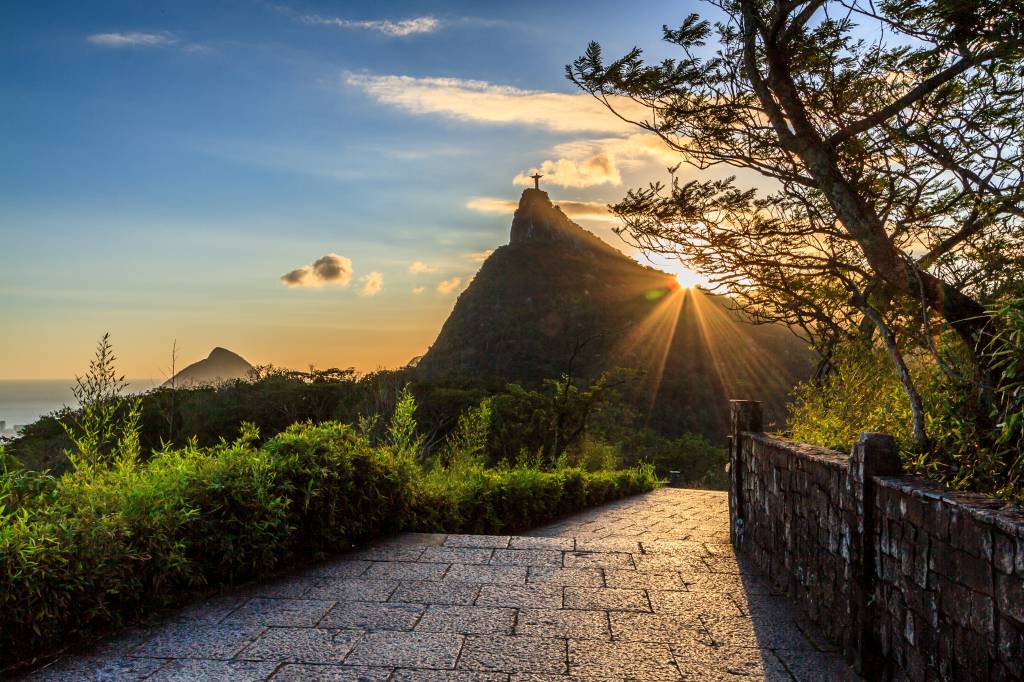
<point>911,580</point>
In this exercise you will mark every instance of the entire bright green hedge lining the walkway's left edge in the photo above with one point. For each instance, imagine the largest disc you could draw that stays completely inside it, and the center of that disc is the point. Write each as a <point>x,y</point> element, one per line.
<point>114,538</point>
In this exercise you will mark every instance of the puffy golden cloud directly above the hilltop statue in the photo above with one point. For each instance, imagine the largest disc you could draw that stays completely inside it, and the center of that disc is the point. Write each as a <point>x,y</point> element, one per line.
<point>587,163</point>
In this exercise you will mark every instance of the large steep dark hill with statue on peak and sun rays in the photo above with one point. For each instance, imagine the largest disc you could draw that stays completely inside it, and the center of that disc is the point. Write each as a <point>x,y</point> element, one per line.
<point>559,296</point>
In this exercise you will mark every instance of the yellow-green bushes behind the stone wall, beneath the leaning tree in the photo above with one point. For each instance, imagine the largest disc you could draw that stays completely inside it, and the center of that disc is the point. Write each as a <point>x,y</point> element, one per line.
<point>863,394</point>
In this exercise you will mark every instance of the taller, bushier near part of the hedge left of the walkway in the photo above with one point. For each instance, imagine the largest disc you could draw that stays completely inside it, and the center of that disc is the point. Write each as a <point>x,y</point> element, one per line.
<point>108,543</point>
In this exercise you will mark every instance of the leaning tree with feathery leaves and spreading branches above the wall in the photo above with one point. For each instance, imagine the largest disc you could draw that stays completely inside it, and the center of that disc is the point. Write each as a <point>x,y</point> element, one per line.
<point>894,162</point>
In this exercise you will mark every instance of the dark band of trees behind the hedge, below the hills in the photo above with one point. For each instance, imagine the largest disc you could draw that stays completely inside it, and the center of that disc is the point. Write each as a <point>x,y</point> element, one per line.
<point>562,422</point>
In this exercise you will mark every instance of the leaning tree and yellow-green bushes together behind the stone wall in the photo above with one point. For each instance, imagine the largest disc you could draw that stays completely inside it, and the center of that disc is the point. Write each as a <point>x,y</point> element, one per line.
<point>887,227</point>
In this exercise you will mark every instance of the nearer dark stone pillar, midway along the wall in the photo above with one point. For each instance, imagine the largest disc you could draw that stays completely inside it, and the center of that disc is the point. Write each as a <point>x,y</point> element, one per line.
<point>874,455</point>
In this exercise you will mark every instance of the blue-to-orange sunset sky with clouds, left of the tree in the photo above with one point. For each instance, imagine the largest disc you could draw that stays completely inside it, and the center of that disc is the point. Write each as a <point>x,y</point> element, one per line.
<point>306,184</point>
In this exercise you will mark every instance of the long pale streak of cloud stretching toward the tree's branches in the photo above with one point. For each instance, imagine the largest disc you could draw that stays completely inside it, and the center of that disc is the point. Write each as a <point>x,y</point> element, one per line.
<point>486,103</point>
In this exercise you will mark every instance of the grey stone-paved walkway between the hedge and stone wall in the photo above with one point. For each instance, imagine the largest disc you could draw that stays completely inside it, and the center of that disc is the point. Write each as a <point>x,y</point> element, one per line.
<point>644,589</point>
